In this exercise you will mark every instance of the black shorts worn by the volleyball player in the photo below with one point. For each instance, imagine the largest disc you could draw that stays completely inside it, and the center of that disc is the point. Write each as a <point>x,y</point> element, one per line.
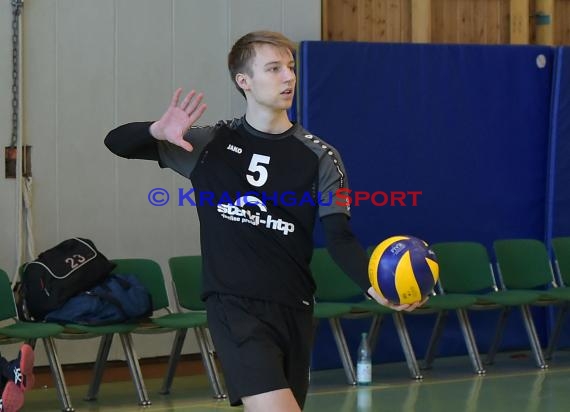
<point>263,346</point>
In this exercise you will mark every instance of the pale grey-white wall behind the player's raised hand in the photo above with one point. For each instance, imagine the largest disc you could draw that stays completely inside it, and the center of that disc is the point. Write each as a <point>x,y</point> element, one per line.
<point>90,65</point>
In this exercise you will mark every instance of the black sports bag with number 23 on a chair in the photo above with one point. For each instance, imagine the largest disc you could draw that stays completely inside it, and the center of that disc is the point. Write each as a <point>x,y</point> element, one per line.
<point>73,266</point>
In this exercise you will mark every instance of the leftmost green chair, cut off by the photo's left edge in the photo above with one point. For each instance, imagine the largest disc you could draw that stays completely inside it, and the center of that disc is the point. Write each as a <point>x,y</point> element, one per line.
<point>14,330</point>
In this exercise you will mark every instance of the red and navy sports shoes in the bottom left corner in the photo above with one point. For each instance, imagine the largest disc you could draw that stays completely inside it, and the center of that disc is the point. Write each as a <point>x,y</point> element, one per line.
<point>16,376</point>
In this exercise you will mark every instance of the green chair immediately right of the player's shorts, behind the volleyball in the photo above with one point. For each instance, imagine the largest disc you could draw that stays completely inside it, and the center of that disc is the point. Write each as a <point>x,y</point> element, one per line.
<point>337,297</point>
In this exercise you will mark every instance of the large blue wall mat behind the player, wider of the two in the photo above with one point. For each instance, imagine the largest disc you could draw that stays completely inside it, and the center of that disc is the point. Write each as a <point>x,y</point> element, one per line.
<point>465,125</point>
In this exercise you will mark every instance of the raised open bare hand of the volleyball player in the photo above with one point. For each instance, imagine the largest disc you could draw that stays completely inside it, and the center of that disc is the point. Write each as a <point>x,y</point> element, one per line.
<point>178,118</point>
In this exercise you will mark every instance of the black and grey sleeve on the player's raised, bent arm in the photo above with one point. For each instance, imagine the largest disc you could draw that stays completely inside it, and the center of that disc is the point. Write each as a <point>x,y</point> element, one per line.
<point>134,141</point>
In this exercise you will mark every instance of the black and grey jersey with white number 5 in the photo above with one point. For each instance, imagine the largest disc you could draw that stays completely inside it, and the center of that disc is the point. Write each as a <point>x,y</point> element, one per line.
<point>257,197</point>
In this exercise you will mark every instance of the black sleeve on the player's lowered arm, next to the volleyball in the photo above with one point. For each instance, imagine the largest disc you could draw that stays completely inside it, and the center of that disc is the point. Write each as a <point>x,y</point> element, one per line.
<point>345,249</point>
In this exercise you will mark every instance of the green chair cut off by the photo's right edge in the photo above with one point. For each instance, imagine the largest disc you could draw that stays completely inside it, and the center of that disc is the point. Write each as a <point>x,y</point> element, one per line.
<point>561,248</point>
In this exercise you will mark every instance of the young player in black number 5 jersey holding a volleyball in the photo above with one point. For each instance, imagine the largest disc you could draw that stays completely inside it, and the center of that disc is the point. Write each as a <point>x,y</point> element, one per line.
<point>259,183</point>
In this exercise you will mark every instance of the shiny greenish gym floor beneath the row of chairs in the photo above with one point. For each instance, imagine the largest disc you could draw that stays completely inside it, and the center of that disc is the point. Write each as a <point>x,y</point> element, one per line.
<point>513,383</point>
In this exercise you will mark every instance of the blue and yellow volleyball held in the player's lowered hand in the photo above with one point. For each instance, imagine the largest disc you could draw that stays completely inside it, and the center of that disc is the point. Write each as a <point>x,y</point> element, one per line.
<point>403,269</point>
